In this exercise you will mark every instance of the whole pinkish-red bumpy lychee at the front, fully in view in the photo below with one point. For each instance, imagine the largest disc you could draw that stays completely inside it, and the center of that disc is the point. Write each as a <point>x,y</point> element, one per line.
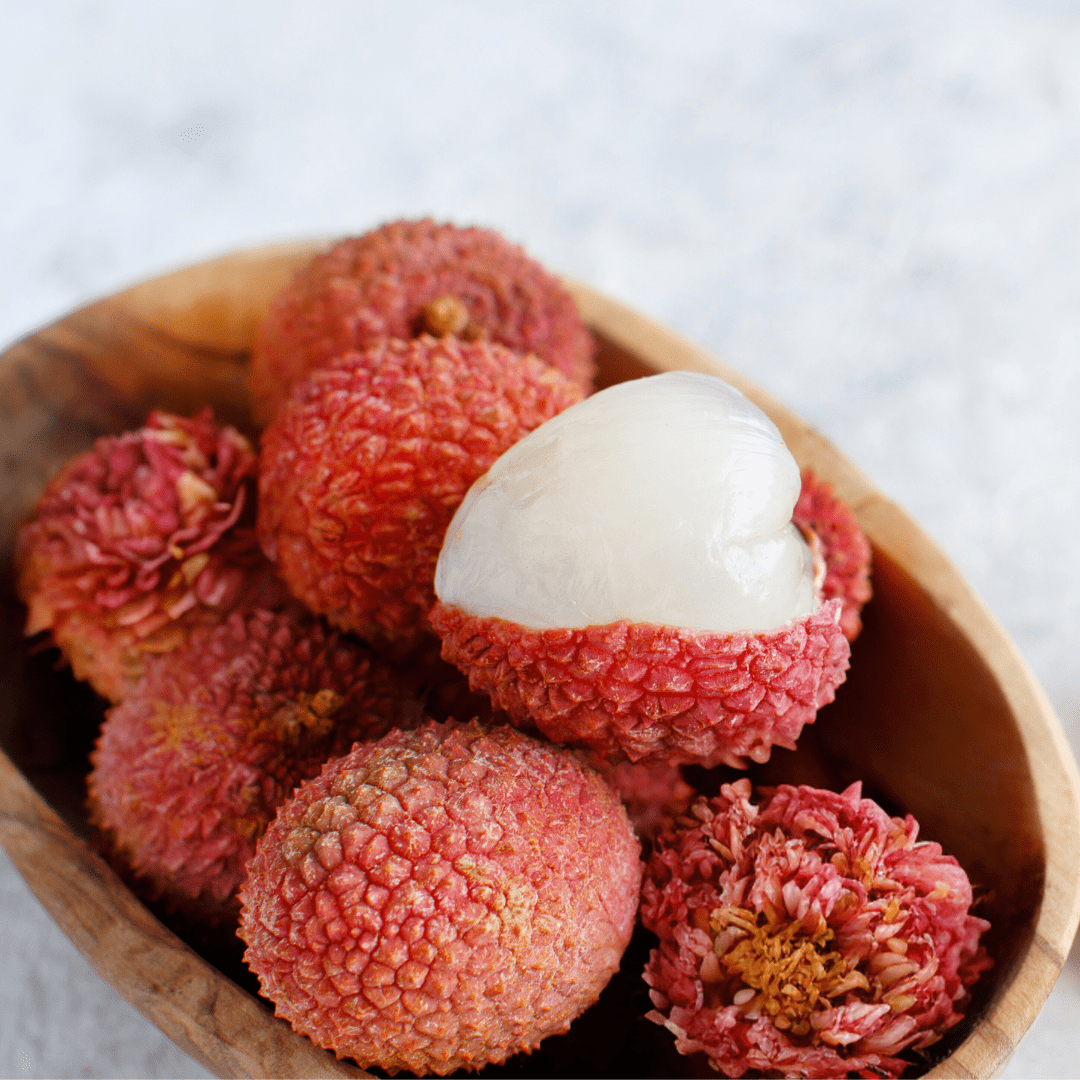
<point>442,899</point>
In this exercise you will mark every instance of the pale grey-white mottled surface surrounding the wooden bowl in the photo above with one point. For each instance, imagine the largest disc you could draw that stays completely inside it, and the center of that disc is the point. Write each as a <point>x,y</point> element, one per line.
<point>874,210</point>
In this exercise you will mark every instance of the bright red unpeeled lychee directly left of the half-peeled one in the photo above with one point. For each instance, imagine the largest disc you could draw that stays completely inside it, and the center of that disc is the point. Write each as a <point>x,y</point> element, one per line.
<point>366,465</point>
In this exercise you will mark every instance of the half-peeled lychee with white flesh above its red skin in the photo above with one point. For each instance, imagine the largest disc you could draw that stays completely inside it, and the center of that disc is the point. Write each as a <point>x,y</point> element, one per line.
<point>630,578</point>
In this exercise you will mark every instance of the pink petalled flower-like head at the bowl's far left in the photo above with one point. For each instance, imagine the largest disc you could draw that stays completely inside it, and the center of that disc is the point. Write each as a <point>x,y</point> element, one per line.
<point>141,541</point>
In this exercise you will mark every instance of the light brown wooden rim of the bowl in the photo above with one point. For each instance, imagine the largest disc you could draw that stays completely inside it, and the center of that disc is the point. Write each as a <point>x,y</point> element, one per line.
<point>232,1033</point>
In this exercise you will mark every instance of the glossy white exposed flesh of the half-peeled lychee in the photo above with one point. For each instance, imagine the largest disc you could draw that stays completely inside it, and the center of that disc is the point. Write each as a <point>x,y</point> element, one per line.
<point>665,501</point>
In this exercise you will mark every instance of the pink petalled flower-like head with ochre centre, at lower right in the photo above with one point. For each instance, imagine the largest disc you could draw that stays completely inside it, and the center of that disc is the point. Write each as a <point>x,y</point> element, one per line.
<point>811,936</point>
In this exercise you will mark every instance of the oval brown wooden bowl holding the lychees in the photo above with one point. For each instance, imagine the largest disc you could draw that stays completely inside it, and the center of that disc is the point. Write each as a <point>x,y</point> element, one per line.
<point>940,715</point>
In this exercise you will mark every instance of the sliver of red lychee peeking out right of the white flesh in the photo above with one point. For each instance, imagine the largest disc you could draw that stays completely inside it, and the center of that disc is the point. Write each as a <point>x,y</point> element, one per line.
<point>845,548</point>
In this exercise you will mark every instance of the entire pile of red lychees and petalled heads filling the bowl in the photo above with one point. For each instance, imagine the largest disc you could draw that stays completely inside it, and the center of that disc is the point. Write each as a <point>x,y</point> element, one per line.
<point>431,870</point>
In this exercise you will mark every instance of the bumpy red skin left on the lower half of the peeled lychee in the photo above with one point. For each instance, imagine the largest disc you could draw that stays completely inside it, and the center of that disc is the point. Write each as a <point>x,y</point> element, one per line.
<point>655,695</point>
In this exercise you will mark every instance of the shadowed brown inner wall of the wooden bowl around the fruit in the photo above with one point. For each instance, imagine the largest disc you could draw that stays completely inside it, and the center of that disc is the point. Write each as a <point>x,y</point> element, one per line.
<point>922,721</point>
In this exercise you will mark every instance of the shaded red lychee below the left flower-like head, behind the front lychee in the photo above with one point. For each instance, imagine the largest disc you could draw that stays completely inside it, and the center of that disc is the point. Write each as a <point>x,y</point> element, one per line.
<point>191,768</point>
